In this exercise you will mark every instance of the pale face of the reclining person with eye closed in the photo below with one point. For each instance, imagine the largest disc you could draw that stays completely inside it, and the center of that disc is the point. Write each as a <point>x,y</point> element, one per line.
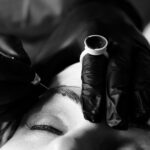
<point>57,122</point>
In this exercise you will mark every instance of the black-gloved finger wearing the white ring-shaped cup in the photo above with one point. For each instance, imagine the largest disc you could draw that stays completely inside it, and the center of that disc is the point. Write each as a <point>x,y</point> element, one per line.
<point>93,81</point>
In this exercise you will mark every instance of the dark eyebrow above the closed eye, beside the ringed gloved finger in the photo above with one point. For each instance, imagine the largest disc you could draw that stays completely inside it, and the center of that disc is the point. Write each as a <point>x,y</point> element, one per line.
<point>64,91</point>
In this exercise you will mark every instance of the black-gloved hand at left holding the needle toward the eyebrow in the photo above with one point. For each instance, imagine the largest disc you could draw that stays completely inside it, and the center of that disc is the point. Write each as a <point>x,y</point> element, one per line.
<point>18,90</point>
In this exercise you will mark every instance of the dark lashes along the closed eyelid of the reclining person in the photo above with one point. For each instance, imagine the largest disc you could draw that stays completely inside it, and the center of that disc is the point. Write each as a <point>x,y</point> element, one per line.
<point>47,128</point>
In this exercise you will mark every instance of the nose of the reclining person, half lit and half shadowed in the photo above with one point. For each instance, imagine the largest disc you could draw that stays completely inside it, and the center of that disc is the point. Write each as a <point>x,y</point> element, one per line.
<point>81,138</point>
